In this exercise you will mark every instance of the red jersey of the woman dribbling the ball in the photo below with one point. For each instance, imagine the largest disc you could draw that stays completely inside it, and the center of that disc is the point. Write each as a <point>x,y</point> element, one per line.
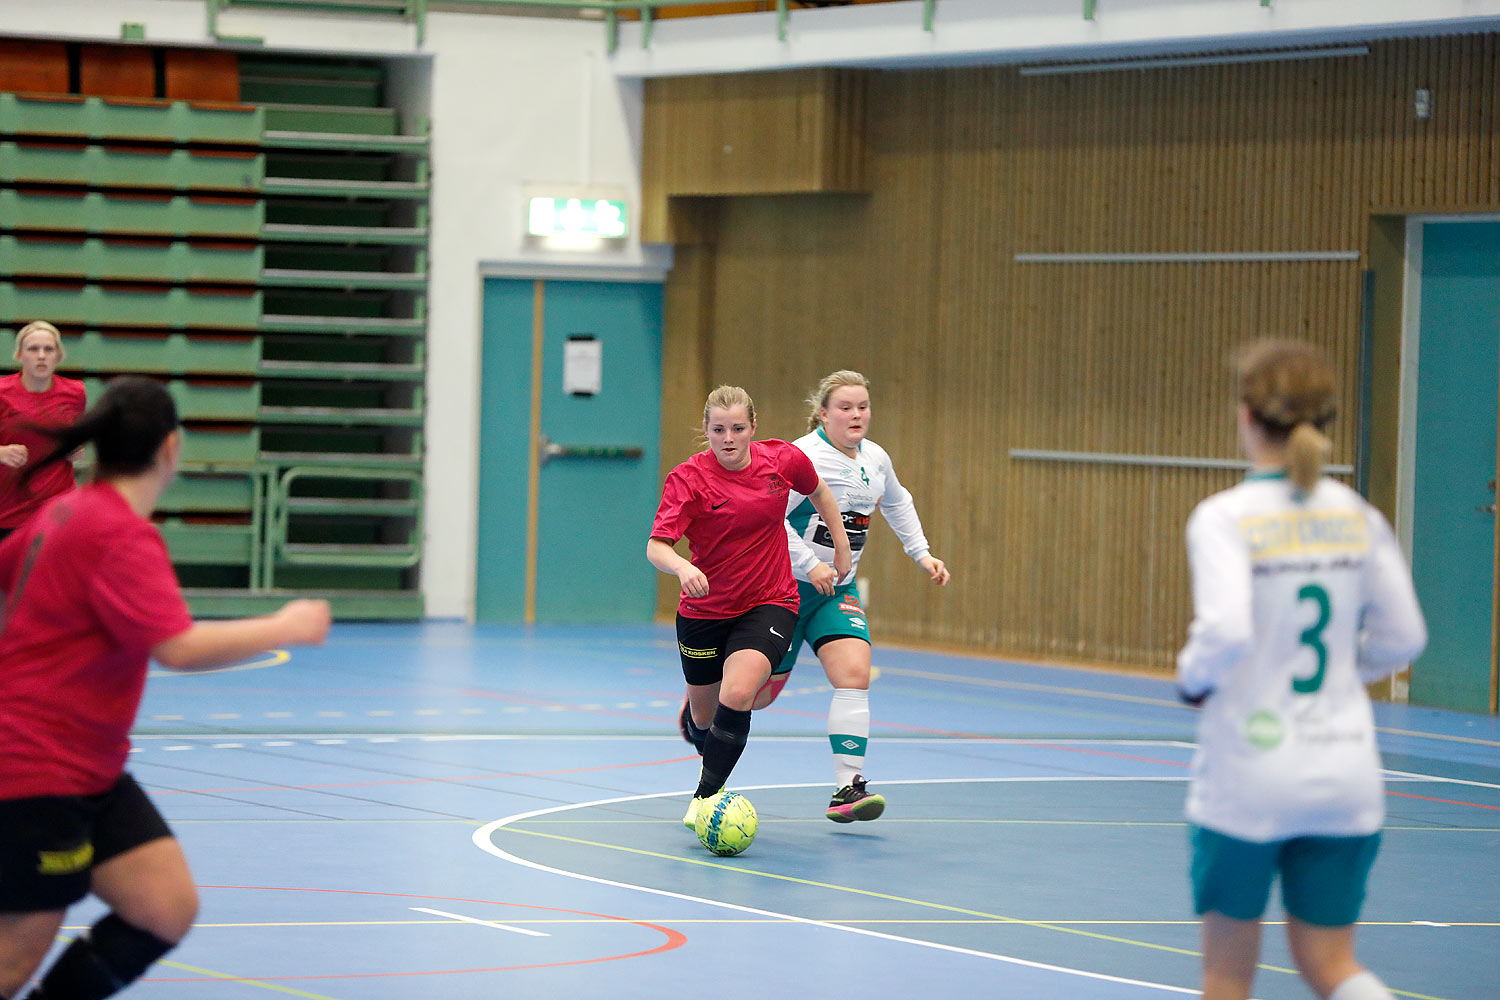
<point>736,527</point>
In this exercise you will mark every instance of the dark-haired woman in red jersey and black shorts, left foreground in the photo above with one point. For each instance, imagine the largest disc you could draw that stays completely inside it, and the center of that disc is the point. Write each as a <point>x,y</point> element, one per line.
<point>89,596</point>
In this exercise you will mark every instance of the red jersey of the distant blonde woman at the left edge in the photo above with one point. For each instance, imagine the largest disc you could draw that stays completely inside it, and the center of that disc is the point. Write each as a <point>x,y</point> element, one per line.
<point>61,406</point>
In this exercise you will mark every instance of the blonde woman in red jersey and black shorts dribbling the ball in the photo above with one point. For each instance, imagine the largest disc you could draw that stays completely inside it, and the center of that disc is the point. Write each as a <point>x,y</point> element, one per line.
<point>739,605</point>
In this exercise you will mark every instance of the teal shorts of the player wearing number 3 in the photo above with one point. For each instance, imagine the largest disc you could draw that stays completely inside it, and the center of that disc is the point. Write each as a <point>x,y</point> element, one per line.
<point>1322,878</point>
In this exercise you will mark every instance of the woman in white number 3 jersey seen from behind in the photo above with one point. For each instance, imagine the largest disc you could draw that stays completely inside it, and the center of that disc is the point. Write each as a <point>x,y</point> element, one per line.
<point>1301,597</point>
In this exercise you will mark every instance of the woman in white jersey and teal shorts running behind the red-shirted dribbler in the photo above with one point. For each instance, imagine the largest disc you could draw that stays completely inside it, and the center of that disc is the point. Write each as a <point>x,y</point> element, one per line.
<point>832,617</point>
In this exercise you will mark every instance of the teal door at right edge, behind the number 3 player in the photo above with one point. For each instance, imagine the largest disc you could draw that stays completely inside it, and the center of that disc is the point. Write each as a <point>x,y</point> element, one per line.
<point>1454,528</point>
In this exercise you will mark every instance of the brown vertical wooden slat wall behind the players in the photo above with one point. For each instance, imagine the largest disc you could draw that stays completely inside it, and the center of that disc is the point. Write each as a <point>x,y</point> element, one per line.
<point>973,355</point>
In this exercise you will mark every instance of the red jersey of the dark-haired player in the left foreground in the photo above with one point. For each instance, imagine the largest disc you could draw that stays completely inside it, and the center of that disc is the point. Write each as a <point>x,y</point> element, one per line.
<point>88,590</point>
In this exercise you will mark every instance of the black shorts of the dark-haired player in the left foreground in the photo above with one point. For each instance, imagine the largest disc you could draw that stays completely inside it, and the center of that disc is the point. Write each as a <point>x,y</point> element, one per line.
<point>49,846</point>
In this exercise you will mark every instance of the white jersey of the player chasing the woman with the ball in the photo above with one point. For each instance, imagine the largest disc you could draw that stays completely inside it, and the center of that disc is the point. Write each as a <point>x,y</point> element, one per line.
<point>859,485</point>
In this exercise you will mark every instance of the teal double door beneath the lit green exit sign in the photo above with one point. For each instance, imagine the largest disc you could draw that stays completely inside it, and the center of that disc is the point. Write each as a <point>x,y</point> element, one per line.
<point>568,479</point>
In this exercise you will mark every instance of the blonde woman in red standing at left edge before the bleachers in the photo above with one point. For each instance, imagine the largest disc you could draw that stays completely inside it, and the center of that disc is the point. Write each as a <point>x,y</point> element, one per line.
<point>34,398</point>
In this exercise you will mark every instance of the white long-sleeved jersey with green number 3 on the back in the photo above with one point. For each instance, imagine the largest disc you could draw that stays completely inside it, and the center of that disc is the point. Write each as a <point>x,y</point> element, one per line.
<point>1300,600</point>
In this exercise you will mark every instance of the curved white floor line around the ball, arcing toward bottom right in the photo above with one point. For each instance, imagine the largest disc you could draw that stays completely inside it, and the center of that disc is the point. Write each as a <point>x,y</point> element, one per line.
<point>482,840</point>
